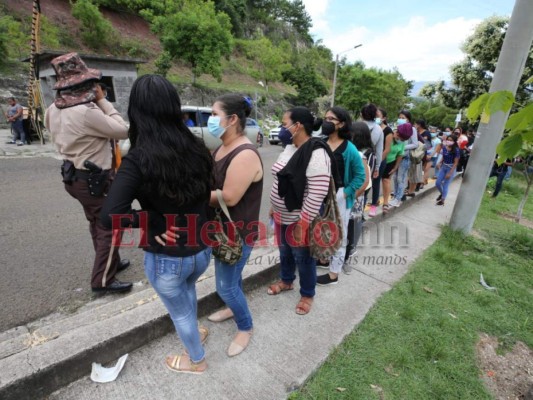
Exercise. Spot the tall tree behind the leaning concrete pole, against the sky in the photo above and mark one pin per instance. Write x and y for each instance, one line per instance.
(472, 76)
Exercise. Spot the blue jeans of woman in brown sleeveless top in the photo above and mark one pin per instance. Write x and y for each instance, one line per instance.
(229, 288)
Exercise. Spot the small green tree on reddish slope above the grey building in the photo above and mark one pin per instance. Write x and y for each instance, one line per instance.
(96, 31)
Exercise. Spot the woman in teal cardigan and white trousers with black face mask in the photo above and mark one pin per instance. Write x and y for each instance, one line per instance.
(337, 127)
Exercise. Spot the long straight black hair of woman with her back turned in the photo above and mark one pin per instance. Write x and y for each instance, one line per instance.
(174, 163)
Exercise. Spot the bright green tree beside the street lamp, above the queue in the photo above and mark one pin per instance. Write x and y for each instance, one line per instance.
(358, 86)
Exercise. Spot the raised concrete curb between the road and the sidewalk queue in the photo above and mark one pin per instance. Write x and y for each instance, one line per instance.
(45, 367)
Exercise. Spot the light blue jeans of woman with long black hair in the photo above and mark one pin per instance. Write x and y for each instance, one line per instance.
(174, 280)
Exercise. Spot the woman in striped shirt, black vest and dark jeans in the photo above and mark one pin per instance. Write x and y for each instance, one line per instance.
(301, 182)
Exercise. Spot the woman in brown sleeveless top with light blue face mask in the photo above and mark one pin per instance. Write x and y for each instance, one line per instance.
(239, 174)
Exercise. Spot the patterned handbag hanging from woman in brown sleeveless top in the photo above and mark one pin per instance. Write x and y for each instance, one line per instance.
(227, 249)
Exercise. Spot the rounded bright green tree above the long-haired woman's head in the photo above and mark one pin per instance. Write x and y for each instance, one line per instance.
(198, 35)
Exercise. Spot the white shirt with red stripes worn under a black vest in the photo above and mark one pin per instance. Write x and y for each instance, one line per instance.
(318, 174)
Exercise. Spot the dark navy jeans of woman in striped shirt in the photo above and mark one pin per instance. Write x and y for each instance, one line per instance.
(297, 257)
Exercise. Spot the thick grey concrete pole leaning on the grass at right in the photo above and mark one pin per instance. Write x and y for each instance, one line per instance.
(509, 70)
